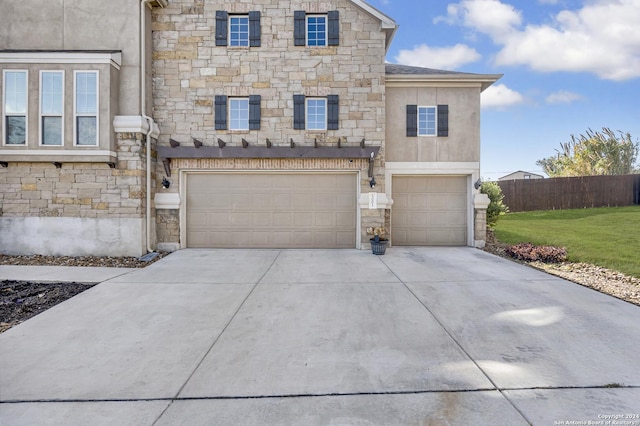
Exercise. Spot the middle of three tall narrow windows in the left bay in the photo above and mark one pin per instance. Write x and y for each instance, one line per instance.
(51, 107)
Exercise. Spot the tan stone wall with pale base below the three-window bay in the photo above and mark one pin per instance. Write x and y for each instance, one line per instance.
(77, 209)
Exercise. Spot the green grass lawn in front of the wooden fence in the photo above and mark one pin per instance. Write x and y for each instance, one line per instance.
(607, 237)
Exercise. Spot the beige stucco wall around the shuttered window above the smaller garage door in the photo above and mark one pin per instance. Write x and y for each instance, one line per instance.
(463, 142)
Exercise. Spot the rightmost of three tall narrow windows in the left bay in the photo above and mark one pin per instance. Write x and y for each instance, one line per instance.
(86, 108)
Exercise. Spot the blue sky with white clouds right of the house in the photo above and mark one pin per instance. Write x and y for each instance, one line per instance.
(568, 65)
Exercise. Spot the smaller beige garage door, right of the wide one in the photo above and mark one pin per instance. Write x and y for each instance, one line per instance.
(429, 211)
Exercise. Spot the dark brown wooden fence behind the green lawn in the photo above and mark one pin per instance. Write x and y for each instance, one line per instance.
(571, 193)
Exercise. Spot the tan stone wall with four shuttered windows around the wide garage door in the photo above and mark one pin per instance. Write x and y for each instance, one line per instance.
(189, 70)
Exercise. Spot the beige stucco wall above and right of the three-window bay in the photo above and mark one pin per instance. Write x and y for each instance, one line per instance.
(79, 25)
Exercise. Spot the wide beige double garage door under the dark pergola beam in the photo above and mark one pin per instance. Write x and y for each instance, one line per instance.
(271, 210)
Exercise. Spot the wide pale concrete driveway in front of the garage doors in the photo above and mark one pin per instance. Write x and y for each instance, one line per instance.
(437, 336)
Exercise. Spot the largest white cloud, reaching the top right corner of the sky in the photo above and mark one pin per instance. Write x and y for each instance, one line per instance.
(600, 38)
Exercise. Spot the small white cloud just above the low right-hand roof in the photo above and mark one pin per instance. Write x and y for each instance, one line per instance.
(438, 57)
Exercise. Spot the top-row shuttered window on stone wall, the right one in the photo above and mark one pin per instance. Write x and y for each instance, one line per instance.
(316, 30)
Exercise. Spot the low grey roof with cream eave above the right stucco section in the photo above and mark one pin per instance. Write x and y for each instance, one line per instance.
(409, 74)
